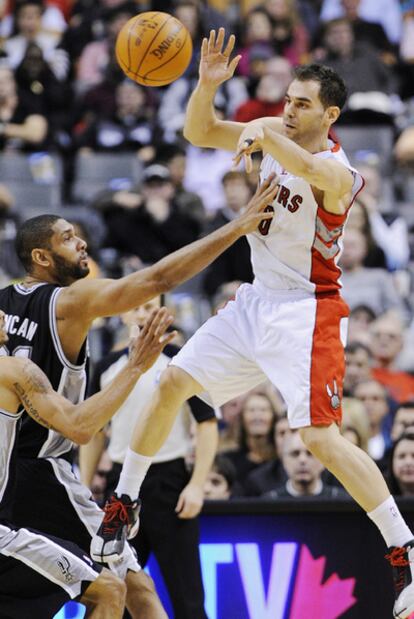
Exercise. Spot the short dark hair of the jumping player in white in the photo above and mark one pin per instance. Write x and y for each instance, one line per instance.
(332, 87)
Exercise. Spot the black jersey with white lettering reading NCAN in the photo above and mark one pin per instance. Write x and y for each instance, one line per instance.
(32, 330)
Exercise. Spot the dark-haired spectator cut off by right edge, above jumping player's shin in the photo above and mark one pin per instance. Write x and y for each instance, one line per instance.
(401, 474)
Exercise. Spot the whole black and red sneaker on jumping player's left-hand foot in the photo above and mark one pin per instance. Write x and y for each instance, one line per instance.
(120, 522)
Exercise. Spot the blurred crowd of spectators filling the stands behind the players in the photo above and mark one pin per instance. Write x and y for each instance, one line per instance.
(63, 94)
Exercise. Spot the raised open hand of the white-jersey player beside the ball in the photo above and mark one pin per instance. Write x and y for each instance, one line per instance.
(215, 64)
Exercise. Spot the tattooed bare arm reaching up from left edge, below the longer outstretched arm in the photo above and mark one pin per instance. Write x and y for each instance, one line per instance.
(24, 383)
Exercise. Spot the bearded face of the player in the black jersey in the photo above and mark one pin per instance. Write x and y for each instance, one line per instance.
(68, 254)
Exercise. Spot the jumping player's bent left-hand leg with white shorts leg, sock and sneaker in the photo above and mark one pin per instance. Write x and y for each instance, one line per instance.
(215, 361)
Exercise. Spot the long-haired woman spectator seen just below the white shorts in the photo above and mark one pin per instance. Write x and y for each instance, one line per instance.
(256, 444)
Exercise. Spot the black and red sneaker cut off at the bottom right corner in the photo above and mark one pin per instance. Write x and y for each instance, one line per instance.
(402, 562)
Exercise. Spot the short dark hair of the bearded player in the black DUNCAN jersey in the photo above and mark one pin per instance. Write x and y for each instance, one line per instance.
(34, 232)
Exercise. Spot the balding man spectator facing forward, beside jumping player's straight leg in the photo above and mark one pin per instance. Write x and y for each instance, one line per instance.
(304, 473)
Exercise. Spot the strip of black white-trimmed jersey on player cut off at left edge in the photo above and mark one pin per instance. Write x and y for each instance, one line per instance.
(9, 430)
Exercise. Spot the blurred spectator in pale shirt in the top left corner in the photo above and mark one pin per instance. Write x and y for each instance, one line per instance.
(28, 25)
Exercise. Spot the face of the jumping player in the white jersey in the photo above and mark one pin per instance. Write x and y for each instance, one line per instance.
(304, 116)
